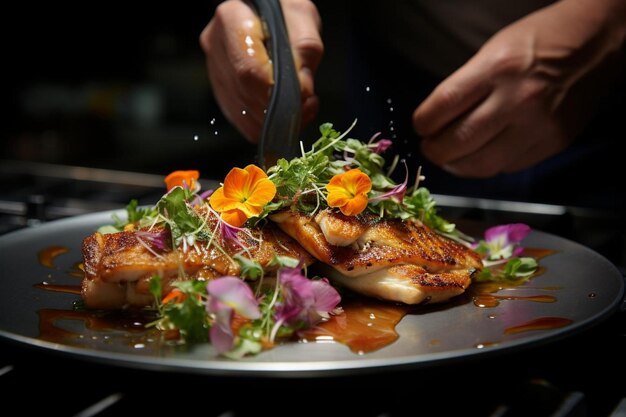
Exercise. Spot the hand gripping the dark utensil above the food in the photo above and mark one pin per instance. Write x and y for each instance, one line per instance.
(239, 68)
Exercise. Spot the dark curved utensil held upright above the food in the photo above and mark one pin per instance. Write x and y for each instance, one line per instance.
(279, 136)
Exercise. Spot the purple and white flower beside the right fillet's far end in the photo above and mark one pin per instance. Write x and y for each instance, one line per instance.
(503, 241)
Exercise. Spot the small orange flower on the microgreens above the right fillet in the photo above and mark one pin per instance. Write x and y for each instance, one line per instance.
(348, 191)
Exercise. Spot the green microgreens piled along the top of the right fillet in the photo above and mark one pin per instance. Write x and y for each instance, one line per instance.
(301, 182)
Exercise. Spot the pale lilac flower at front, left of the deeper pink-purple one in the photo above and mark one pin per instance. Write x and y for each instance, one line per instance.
(229, 296)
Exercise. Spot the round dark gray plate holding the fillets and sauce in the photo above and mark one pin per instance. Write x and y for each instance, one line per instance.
(585, 286)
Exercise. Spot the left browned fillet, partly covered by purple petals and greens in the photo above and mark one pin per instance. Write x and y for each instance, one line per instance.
(118, 266)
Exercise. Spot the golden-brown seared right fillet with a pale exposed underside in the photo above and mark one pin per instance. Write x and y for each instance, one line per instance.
(394, 260)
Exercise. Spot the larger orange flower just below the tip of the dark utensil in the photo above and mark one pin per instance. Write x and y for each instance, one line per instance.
(244, 194)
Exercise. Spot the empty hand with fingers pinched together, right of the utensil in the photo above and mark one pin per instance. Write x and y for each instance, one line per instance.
(526, 94)
